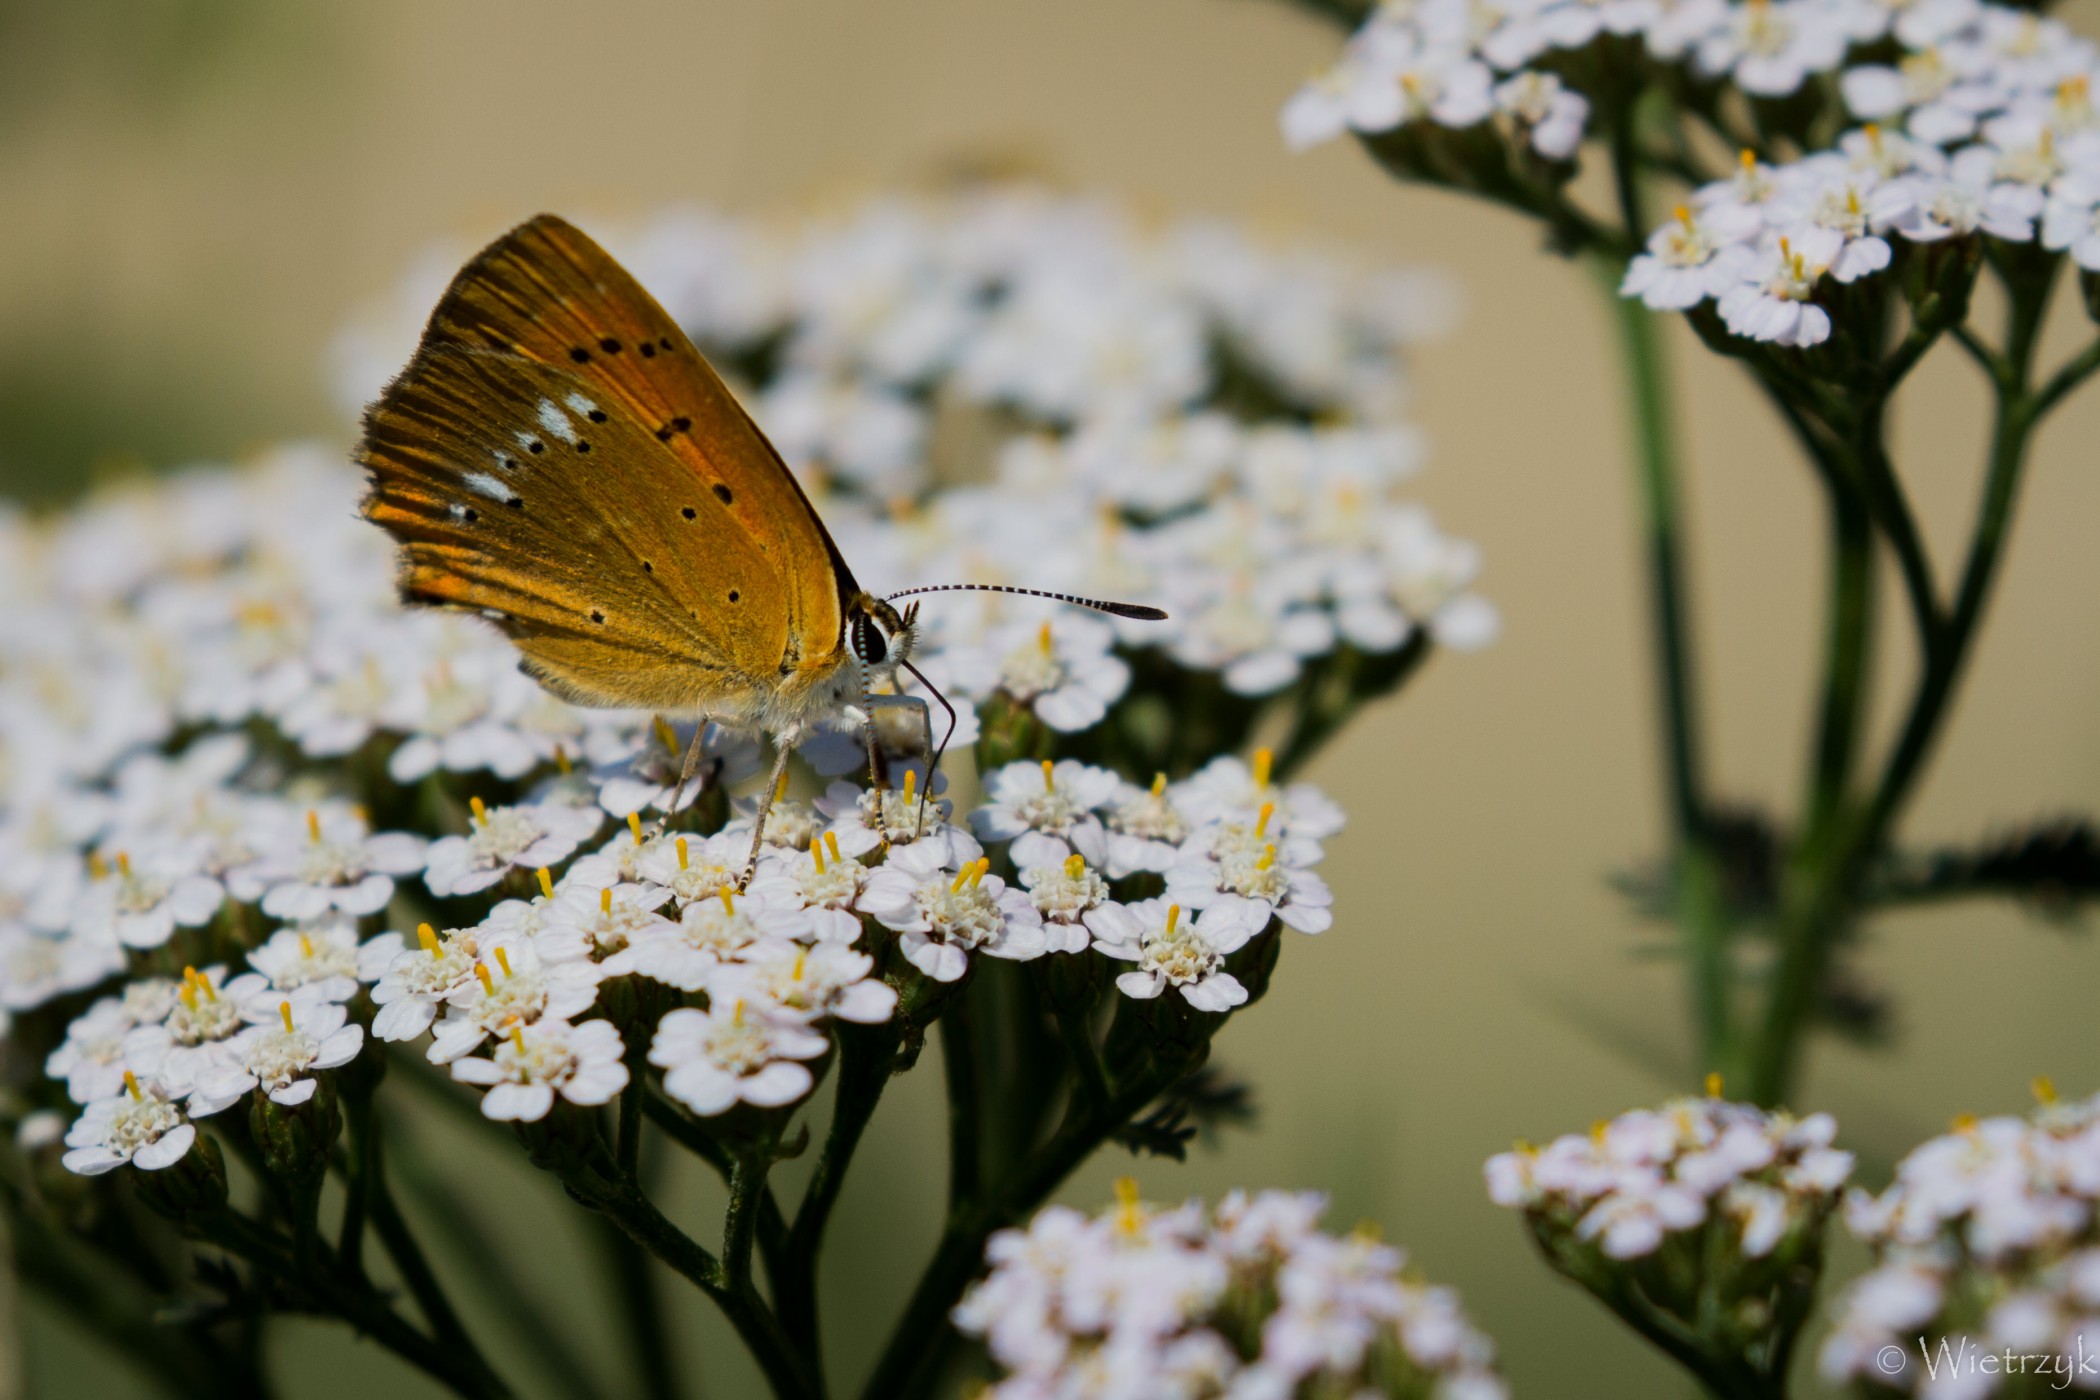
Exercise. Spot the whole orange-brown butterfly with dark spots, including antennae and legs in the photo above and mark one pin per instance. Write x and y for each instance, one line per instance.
(562, 461)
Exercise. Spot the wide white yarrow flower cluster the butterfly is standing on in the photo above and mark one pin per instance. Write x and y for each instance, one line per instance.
(144, 830)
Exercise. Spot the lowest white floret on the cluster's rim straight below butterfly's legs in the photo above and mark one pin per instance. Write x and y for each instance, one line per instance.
(736, 1053)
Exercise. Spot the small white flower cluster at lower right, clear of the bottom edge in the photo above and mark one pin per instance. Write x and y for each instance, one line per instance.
(1633, 1185)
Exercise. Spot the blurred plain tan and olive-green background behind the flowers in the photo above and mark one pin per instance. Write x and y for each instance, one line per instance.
(198, 194)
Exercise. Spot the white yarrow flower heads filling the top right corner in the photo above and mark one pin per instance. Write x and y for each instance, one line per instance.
(1977, 116)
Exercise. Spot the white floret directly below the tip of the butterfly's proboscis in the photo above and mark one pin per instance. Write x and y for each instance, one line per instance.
(944, 914)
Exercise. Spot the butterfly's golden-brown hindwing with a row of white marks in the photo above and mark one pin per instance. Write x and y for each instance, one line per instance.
(518, 492)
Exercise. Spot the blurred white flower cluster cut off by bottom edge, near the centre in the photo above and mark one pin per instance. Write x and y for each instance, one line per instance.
(1246, 1302)
